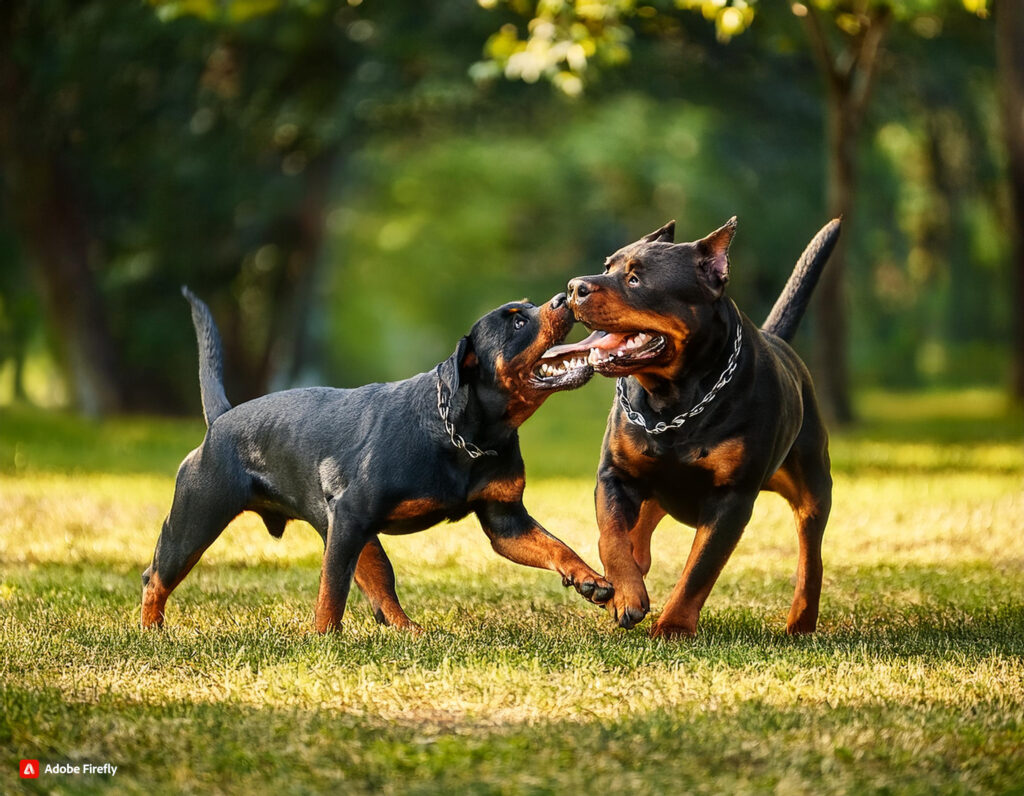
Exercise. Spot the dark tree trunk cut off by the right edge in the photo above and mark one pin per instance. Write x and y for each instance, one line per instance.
(1010, 52)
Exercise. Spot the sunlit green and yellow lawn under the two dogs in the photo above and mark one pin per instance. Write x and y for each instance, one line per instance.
(914, 685)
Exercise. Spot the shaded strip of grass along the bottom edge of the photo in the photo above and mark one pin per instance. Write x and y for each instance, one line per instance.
(748, 745)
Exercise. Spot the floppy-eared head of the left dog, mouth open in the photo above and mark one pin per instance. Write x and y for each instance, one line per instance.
(505, 351)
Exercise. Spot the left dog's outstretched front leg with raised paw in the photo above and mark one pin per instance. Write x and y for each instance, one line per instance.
(517, 536)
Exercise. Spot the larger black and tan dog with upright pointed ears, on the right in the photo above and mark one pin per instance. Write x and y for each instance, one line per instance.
(709, 412)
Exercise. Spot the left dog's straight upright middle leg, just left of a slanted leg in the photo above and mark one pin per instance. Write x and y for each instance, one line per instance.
(346, 541)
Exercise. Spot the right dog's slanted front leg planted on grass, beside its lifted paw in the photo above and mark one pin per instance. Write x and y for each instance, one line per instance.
(723, 519)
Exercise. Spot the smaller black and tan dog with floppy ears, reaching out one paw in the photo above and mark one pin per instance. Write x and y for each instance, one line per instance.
(393, 458)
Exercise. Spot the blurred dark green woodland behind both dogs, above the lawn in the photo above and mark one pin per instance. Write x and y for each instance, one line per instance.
(351, 185)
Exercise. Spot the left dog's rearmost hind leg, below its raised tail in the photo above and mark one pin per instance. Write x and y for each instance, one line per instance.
(201, 510)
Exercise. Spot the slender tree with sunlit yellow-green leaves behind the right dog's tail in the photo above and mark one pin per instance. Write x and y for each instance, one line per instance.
(845, 37)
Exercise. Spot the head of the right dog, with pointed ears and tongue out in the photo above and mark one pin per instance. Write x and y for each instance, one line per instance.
(654, 298)
